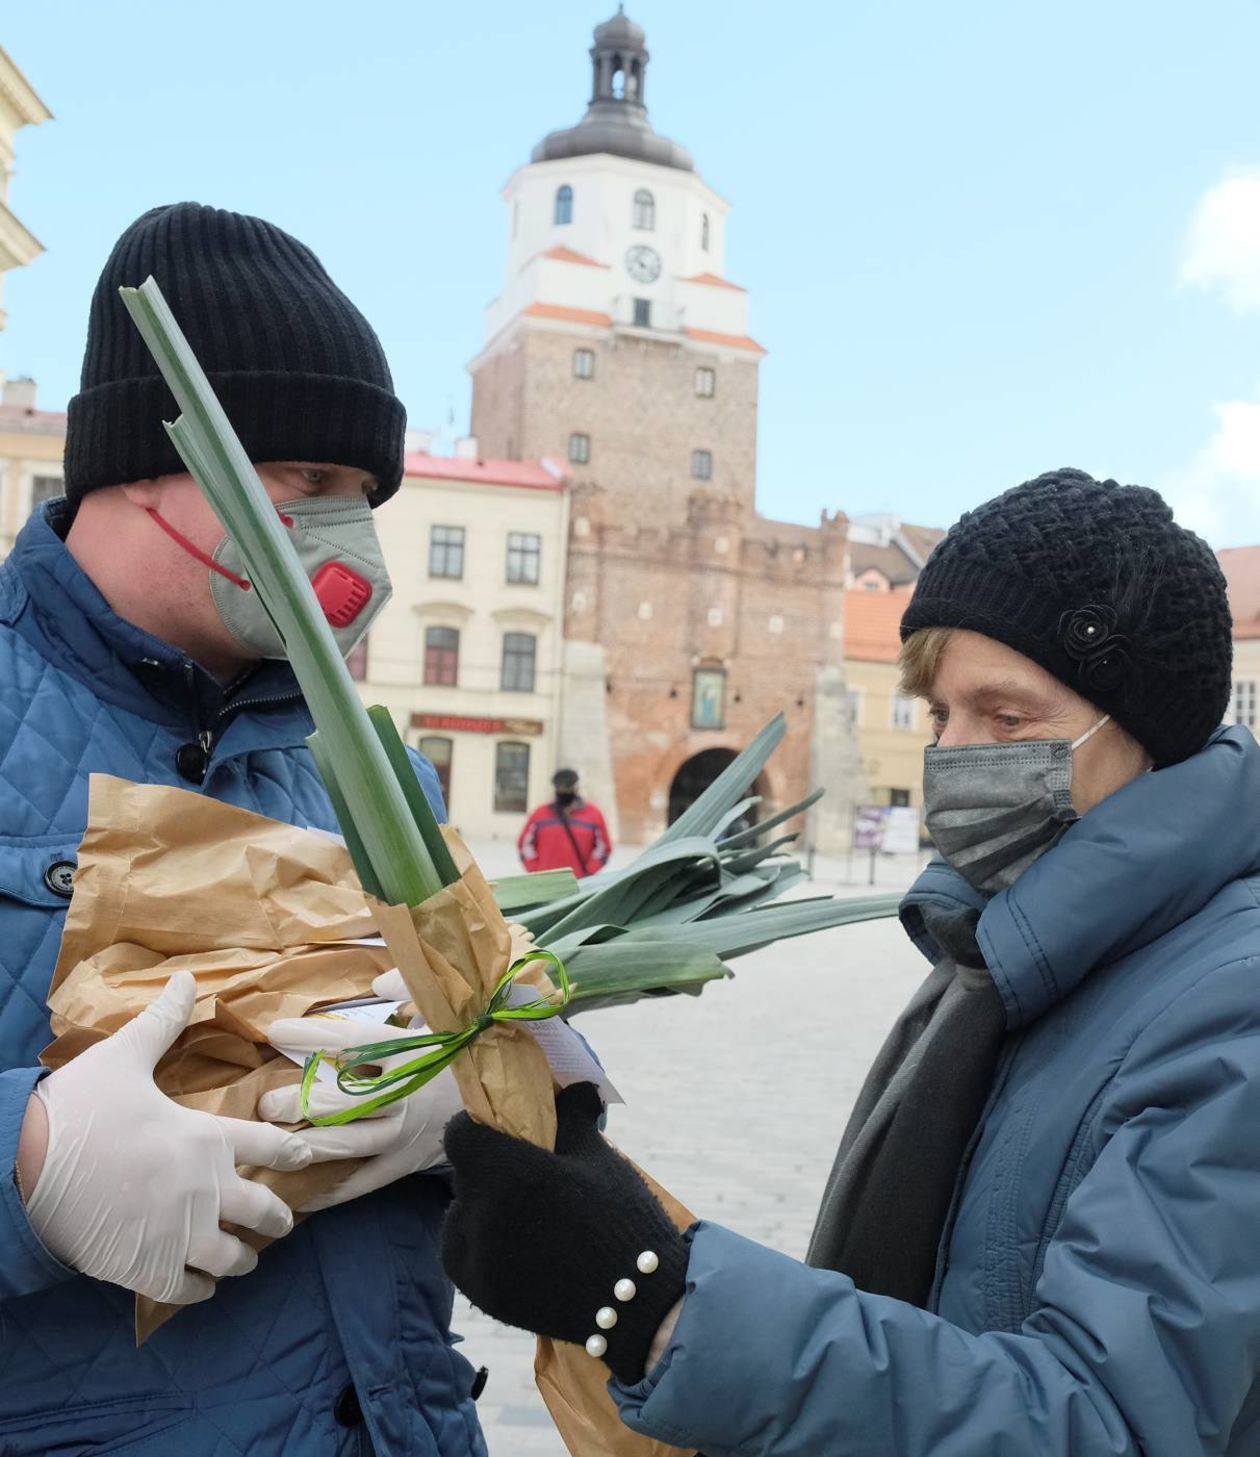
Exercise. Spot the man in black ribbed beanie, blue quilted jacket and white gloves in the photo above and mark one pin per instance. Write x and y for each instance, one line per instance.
(133, 645)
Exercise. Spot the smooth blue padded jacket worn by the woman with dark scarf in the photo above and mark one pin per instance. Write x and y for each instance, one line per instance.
(1099, 1286)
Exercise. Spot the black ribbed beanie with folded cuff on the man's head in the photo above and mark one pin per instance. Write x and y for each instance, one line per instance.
(295, 365)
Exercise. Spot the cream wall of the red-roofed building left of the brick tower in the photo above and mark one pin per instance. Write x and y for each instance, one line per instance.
(477, 715)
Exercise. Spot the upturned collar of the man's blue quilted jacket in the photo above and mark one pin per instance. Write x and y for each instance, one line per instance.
(58, 608)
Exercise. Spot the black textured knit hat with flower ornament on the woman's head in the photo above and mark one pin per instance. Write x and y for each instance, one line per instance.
(1099, 585)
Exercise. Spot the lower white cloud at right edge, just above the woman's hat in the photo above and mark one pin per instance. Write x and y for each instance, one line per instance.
(1217, 495)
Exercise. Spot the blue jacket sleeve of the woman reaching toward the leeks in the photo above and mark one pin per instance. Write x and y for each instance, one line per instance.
(1147, 1331)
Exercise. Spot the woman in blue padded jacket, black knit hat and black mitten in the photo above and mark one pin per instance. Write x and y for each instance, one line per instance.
(1042, 1232)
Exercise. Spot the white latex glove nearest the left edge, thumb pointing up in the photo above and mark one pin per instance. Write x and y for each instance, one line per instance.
(135, 1187)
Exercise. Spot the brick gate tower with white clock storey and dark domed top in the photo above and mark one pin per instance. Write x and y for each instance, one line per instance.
(620, 346)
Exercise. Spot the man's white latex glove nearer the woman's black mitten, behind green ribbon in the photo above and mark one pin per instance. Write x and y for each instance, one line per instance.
(398, 1140)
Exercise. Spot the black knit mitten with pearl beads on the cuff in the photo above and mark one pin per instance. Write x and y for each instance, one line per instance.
(572, 1244)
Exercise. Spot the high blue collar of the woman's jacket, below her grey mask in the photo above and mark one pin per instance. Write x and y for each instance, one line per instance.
(1131, 871)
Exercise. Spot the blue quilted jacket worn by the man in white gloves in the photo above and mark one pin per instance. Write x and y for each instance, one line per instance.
(347, 1315)
